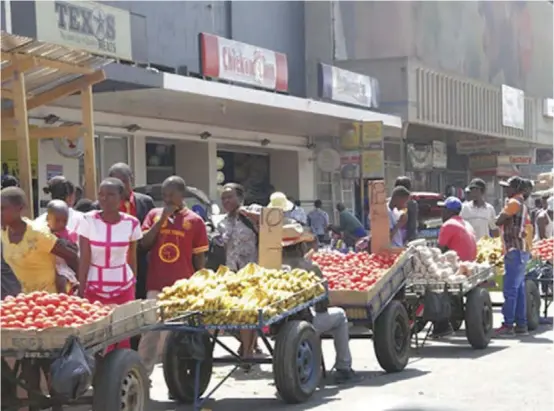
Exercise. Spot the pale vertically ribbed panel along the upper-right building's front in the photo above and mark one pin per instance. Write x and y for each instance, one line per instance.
(459, 104)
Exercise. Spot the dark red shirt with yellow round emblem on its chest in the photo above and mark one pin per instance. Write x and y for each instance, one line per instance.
(172, 252)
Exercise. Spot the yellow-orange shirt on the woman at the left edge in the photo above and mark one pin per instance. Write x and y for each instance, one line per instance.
(31, 259)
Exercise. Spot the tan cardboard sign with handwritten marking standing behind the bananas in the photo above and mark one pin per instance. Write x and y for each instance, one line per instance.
(270, 246)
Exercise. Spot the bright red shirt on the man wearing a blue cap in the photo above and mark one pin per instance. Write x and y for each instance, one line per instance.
(458, 235)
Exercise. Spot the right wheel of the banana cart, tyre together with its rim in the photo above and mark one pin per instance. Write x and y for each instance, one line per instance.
(297, 361)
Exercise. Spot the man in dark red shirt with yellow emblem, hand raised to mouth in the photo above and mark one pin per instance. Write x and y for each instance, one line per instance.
(177, 240)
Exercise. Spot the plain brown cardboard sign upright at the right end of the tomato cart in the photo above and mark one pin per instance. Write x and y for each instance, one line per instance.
(378, 216)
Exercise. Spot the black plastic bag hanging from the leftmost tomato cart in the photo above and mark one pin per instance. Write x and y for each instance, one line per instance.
(72, 373)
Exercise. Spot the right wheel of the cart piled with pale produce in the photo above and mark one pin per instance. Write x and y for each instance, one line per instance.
(478, 318)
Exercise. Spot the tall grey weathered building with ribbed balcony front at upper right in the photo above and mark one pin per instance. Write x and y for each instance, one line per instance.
(445, 71)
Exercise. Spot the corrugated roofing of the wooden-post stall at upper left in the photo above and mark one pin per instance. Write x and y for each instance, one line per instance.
(41, 78)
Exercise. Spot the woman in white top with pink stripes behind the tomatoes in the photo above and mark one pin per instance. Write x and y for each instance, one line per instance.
(108, 241)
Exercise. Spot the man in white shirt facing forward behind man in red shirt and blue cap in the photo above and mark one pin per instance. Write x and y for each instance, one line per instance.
(477, 212)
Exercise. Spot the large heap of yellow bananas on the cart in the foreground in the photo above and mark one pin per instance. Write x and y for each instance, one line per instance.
(228, 298)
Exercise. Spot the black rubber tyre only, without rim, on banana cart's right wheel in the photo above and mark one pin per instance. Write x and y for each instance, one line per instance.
(290, 335)
